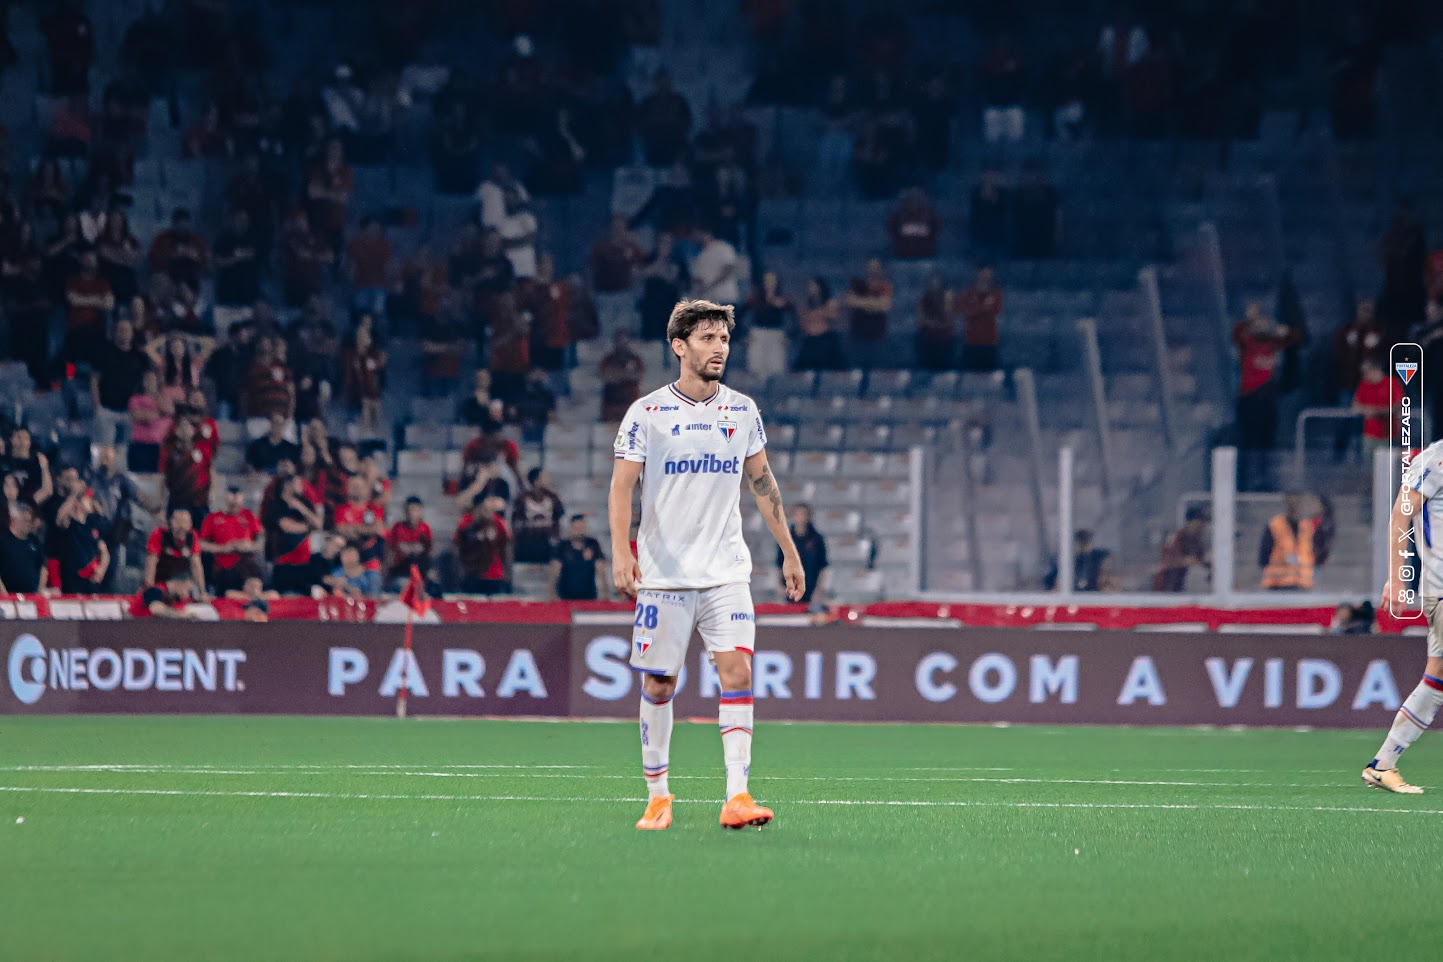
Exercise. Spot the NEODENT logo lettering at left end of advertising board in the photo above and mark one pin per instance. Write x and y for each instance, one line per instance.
(35, 670)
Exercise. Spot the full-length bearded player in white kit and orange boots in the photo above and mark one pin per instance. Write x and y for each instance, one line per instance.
(690, 445)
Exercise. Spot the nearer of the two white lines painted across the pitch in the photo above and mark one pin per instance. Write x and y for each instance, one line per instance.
(344, 797)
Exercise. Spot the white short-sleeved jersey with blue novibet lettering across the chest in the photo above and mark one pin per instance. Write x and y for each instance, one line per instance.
(692, 485)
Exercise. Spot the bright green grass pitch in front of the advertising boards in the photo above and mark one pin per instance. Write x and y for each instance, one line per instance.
(366, 839)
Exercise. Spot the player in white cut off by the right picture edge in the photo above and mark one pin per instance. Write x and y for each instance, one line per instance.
(1413, 523)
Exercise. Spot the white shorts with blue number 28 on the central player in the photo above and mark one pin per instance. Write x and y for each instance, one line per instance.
(665, 622)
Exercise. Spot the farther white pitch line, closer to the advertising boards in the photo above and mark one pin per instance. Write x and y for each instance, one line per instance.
(510, 774)
